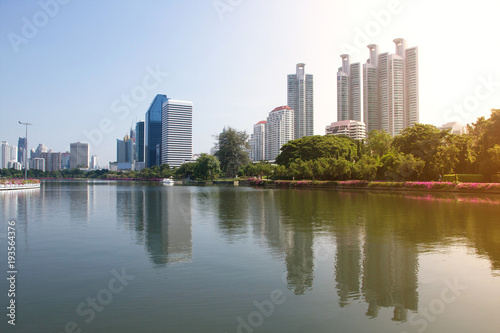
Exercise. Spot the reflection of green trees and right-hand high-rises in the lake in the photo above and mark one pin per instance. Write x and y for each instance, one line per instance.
(378, 237)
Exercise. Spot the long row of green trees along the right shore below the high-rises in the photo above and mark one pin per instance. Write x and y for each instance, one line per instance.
(421, 152)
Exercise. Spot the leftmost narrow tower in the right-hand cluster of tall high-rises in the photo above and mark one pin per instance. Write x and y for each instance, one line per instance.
(348, 90)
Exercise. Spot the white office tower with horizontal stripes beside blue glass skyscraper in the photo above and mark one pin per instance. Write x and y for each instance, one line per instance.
(176, 132)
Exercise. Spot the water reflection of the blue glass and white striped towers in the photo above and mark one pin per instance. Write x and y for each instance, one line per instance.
(168, 224)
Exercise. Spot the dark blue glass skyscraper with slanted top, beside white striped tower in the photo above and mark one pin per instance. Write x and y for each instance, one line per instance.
(152, 131)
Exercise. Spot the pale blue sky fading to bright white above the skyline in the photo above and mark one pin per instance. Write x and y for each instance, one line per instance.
(83, 70)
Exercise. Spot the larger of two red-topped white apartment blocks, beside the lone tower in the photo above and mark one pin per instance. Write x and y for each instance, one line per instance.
(279, 130)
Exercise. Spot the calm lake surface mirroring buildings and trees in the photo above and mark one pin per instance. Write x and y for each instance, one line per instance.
(130, 257)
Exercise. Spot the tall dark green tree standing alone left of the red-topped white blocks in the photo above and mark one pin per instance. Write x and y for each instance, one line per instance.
(232, 150)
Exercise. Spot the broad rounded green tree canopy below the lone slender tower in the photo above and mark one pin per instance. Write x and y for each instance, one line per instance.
(314, 147)
